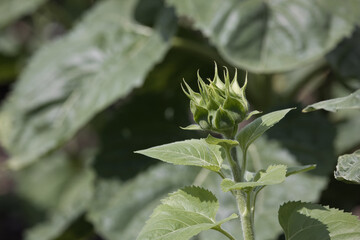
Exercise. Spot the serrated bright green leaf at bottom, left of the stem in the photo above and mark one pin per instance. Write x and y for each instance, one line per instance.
(182, 215)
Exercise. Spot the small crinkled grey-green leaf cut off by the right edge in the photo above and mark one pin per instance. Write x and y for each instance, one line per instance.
(348, 168)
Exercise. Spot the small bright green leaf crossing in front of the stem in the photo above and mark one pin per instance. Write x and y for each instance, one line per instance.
(274, 174)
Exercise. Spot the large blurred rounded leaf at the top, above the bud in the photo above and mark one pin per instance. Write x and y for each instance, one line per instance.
(248, 33)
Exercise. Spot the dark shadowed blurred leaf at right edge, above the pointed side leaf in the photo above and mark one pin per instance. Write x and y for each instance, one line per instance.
(345, 58)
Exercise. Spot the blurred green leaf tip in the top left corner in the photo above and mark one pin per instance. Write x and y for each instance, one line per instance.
(10, 10)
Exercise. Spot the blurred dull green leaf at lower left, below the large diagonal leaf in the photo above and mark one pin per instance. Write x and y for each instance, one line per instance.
(64, 186)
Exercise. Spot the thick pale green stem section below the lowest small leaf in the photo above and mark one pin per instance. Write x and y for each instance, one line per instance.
(244, 206)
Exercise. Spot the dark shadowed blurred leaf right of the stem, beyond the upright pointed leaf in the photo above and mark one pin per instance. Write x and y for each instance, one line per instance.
(309, 137)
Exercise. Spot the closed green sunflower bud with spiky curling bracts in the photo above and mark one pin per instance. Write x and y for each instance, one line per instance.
(219, 106)
